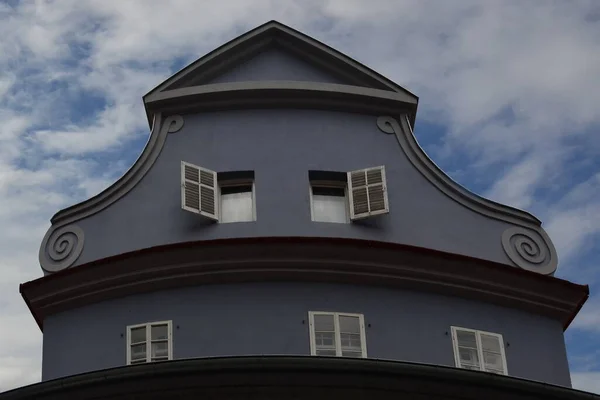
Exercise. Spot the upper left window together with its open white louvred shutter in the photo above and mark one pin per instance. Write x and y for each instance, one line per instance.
(223, 197)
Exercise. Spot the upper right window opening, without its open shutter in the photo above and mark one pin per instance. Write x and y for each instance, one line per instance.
(329, 203)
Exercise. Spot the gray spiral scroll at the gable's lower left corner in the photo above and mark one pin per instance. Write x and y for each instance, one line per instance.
(61, 247)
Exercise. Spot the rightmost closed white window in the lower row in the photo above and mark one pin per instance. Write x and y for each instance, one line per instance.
(479, 351)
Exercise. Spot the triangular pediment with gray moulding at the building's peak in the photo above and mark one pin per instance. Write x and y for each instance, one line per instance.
(275, 52)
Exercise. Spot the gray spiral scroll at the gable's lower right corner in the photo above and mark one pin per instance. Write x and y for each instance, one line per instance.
(530, 250)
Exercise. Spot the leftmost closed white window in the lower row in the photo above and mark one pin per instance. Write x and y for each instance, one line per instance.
(149, 342)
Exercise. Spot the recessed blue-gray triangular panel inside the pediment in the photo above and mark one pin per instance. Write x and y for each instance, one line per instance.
(277, 64)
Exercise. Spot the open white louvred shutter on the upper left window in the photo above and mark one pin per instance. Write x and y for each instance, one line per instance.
(199, 190)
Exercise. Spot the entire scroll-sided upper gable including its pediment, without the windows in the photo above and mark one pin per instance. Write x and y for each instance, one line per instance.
(276, 97)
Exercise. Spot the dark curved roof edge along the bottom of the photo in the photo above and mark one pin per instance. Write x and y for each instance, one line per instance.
(297, 377)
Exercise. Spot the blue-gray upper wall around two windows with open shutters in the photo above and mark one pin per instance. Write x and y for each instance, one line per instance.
(281, 146)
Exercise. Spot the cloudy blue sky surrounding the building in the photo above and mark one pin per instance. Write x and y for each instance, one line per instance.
(509, 107)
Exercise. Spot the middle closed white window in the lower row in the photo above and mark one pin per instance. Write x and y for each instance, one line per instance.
(337, 334)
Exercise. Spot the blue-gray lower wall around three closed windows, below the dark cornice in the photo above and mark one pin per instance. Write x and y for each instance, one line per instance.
(267, 318)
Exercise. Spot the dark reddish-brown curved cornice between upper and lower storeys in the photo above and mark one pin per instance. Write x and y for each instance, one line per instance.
(333, 260)
